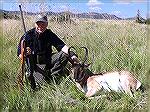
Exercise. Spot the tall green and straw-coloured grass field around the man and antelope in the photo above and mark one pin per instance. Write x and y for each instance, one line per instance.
(113, 45)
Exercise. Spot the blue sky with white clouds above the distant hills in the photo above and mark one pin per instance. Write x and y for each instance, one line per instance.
(120, 8)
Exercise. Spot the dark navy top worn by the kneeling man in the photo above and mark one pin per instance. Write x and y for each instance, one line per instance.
(41, 44)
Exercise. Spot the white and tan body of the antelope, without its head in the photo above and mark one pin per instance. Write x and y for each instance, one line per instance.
(122, 81)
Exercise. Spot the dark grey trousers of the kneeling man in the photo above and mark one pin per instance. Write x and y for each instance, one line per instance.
(55, 69)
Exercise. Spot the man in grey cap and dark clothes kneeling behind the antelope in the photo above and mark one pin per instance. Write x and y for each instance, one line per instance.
(38, 51)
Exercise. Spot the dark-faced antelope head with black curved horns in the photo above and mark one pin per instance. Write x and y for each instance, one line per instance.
(78, 68)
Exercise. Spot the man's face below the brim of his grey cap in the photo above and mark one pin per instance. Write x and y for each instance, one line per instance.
(41, 26)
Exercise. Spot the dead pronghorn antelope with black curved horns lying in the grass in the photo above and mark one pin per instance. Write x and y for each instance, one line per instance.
(90, 83)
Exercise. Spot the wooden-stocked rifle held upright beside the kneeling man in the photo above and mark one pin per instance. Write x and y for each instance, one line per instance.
(21, 75)
